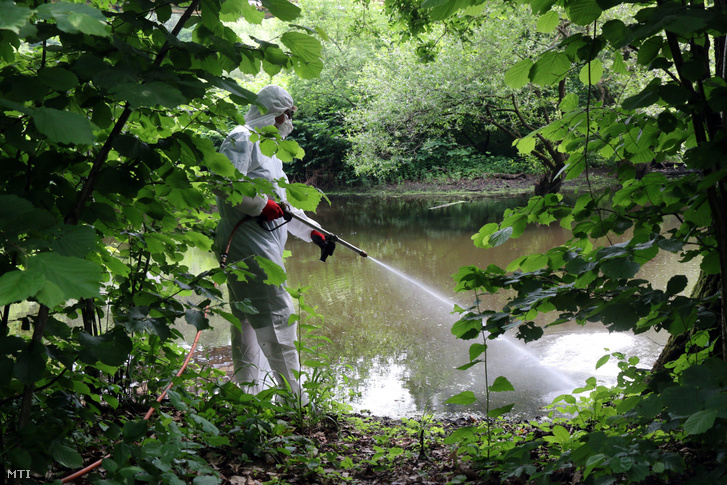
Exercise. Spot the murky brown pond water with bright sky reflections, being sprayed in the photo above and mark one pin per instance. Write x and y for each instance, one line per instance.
(390, 323)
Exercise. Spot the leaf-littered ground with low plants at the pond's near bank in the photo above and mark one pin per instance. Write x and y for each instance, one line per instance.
(371, 450)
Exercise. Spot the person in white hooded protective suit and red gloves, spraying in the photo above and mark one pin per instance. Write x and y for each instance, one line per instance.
(265, 348)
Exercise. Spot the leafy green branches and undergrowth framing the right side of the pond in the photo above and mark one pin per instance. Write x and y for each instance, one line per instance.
(629, 433)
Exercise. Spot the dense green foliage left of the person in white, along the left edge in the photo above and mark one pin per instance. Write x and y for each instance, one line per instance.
(106, 179)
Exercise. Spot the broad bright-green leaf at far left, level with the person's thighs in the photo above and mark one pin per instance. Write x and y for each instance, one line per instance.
(75, 277)
